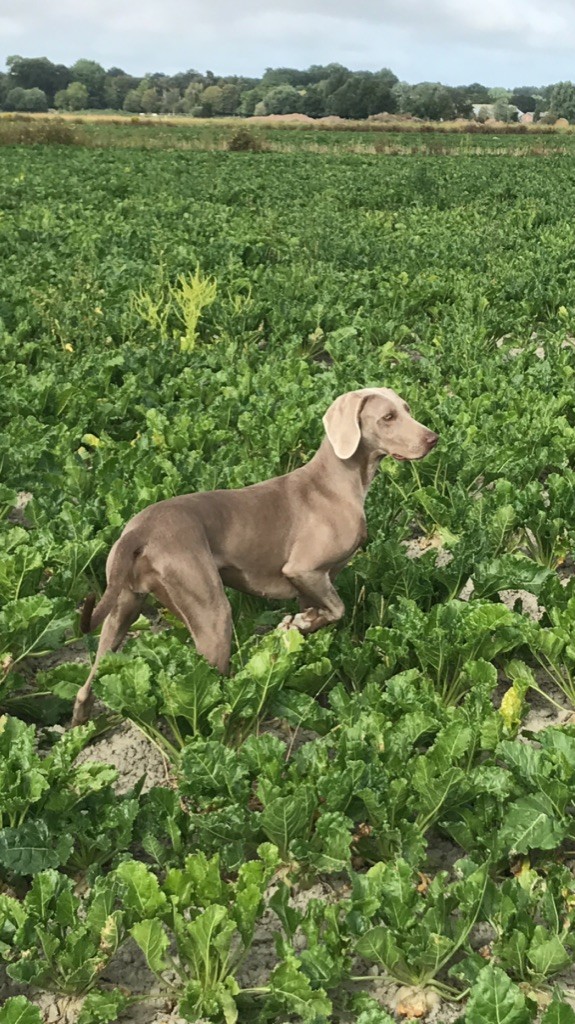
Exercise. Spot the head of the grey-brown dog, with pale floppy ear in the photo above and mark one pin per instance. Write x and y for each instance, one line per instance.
(379, 419)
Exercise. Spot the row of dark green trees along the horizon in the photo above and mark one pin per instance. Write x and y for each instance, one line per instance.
(36, 84)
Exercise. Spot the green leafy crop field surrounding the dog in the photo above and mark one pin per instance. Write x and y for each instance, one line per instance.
(369, 825)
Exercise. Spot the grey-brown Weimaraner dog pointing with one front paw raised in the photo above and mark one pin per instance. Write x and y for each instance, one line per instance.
(286, 538)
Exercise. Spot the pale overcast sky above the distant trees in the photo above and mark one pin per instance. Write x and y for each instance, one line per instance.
(498, 42)
